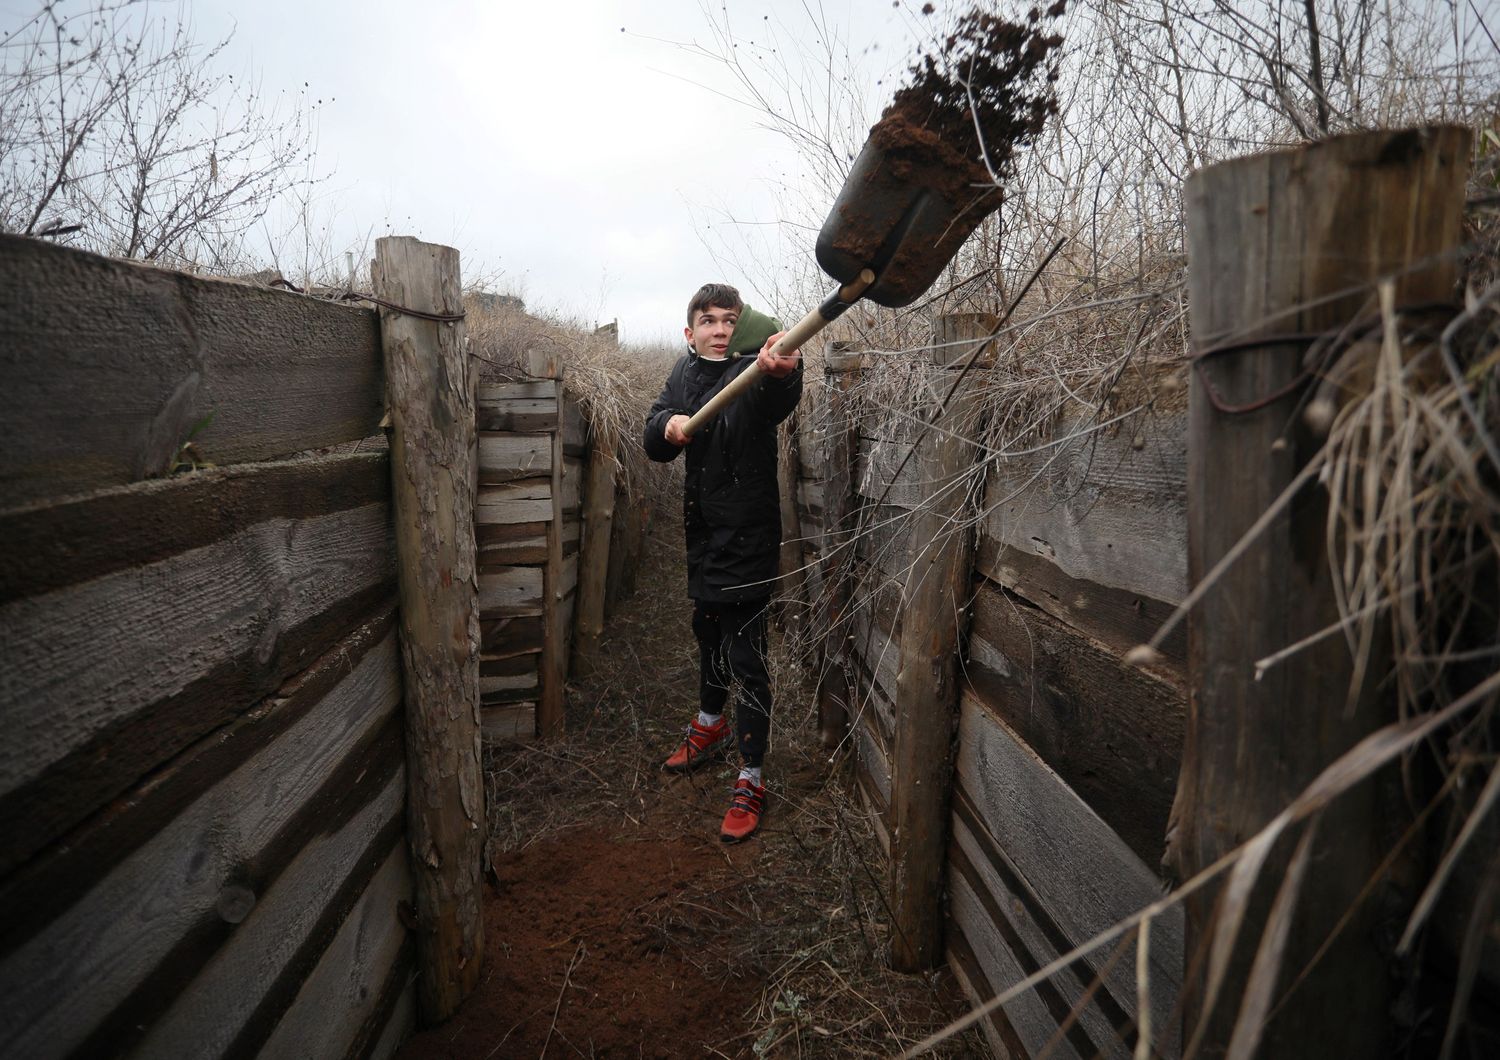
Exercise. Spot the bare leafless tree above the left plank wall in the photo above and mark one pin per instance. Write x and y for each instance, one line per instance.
(121, 137)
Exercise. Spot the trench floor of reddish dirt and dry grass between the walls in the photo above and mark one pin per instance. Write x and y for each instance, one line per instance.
(619, 926)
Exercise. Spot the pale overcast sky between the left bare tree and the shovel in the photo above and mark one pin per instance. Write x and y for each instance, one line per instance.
(580, 163)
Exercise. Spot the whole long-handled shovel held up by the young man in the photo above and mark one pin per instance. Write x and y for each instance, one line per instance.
(889, 236)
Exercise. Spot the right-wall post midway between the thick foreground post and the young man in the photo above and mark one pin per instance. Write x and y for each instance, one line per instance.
(926, 689)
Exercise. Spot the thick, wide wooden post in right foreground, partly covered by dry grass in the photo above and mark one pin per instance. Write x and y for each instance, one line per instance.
(1282, 245)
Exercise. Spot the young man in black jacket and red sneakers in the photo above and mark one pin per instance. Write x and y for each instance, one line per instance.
(733, 517)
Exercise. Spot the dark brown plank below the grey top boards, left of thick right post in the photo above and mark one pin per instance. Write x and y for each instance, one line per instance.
(1114, 732)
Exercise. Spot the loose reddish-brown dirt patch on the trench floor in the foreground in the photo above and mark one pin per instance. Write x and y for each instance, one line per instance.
(581, 959)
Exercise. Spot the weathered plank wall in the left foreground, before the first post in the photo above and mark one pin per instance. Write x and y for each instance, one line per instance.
(203, 780)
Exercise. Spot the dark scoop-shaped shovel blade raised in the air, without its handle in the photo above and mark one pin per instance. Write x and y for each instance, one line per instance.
(890, 220)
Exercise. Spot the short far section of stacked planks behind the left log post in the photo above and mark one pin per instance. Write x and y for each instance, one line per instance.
(518, 424)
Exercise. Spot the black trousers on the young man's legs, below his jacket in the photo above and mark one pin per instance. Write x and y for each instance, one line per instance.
(731, 648)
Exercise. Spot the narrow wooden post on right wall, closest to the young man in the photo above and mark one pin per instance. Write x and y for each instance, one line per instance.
(841, 517)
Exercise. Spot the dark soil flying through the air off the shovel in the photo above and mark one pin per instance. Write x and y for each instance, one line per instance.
(982, 95)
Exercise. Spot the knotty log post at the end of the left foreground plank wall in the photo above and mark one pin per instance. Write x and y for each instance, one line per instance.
(430, 392)
